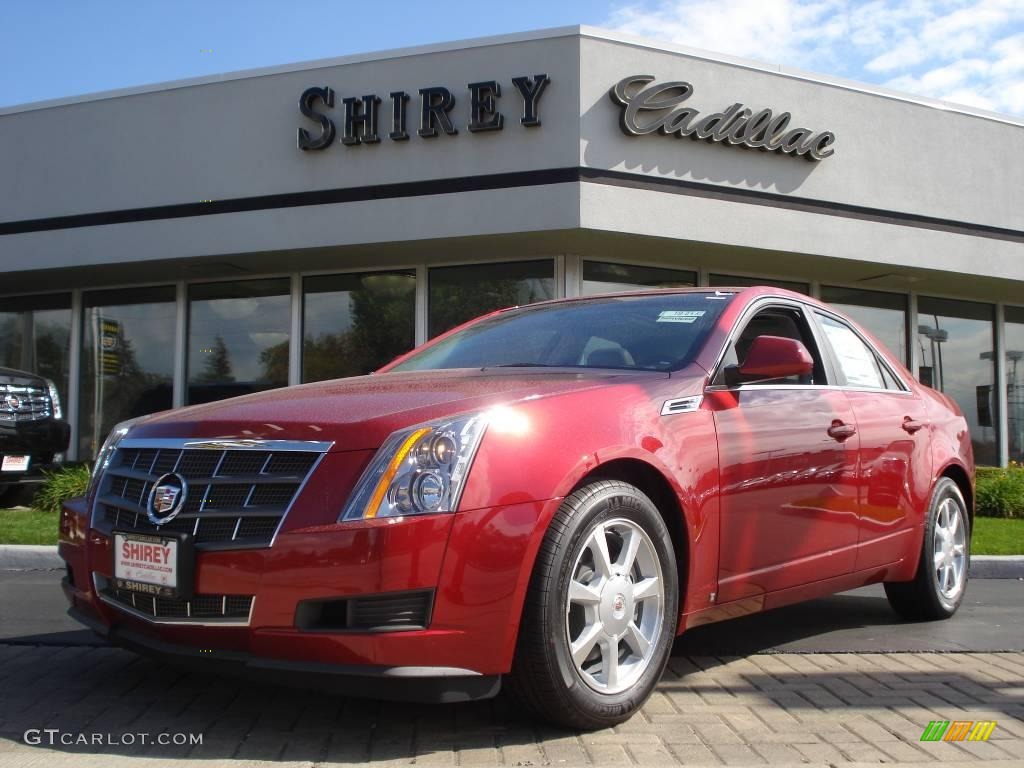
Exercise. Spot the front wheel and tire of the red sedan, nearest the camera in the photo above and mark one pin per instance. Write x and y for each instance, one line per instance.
(610, 610)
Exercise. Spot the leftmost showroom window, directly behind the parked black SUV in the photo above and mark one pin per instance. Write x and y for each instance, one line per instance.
(35, 336)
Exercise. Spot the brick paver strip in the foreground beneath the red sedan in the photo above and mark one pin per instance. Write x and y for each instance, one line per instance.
(810, 710)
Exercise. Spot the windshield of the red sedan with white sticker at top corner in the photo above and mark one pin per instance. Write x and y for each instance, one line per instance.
(649, 332)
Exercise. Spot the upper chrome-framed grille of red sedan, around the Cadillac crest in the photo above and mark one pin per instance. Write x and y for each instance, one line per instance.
(237, 497)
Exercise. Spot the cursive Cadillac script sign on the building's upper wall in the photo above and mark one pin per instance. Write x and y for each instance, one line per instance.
(660, 109)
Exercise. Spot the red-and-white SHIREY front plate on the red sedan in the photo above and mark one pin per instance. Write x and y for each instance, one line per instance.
(153, 565)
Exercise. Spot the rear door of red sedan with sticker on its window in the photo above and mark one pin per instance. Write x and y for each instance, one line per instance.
(895, 463)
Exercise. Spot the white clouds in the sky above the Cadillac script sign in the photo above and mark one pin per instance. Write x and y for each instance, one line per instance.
(968, 52)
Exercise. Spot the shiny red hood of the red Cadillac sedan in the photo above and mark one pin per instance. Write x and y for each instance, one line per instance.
(360, 413)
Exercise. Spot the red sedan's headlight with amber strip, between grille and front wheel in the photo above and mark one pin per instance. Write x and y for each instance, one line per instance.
(418, 472)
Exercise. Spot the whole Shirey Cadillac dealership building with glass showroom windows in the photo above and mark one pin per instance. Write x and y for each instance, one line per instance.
(186, 242)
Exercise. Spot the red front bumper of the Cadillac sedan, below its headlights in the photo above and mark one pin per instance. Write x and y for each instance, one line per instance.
(474, 563)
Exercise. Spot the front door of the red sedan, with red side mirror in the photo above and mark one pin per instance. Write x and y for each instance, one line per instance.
(788, 455)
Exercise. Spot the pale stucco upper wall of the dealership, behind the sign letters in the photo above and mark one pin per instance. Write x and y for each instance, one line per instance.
(234, 138)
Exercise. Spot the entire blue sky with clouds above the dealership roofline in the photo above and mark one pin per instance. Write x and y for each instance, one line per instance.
(967, 52)
